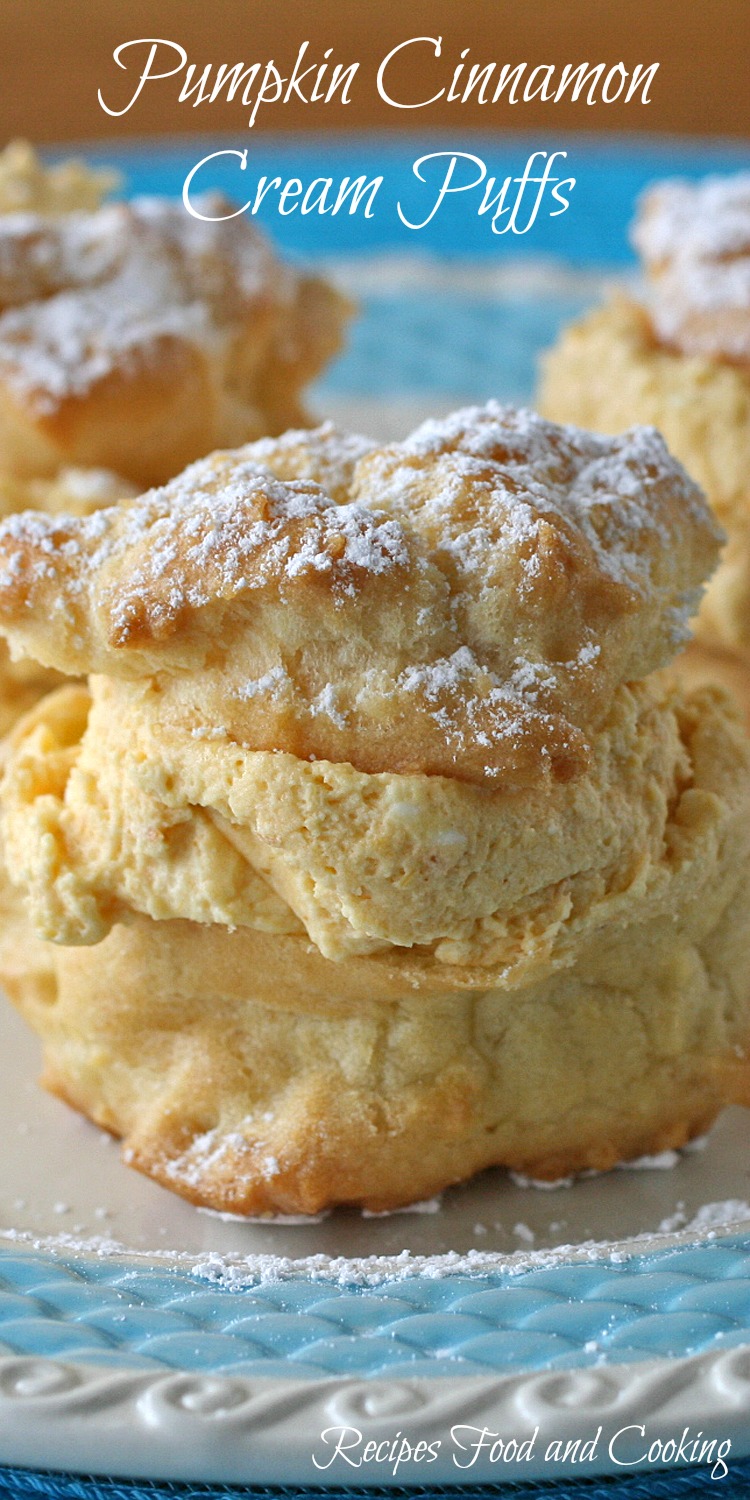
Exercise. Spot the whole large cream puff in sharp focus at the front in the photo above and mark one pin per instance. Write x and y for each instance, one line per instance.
(379, 848)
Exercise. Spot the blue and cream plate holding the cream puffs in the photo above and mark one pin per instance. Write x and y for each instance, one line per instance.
(142, 1337)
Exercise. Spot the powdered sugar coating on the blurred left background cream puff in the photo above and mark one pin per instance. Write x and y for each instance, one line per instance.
(86, 295)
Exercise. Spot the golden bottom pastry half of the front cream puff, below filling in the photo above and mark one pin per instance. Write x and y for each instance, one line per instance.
(250, 1075)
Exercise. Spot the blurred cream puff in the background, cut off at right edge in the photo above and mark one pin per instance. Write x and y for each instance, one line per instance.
(679, 356)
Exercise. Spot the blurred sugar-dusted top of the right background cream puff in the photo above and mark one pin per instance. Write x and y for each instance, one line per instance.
(695, 244)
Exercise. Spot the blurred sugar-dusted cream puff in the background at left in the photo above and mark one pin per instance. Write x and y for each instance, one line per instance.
(134, 337)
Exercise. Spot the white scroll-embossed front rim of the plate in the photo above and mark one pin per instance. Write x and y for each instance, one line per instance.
(191, 1427)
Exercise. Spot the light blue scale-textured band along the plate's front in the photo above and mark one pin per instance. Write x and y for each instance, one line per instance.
(113, 1312)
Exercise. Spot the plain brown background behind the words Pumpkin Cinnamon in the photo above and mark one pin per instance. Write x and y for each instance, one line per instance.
(56, 53)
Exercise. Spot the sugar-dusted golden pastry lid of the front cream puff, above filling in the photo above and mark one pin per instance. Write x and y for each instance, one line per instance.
(464, 604)
